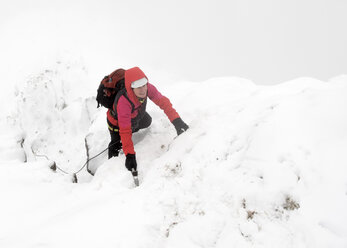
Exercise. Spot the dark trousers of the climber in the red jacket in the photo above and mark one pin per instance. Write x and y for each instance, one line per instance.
(115, 145)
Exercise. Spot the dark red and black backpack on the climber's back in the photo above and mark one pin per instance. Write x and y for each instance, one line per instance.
(109, 87)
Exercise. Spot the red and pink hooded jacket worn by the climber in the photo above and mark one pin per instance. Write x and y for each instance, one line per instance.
(125, 108)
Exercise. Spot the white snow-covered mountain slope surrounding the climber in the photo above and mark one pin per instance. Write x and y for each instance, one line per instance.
(260, 166)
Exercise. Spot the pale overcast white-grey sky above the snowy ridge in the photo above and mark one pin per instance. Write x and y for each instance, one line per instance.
(267, 41)
